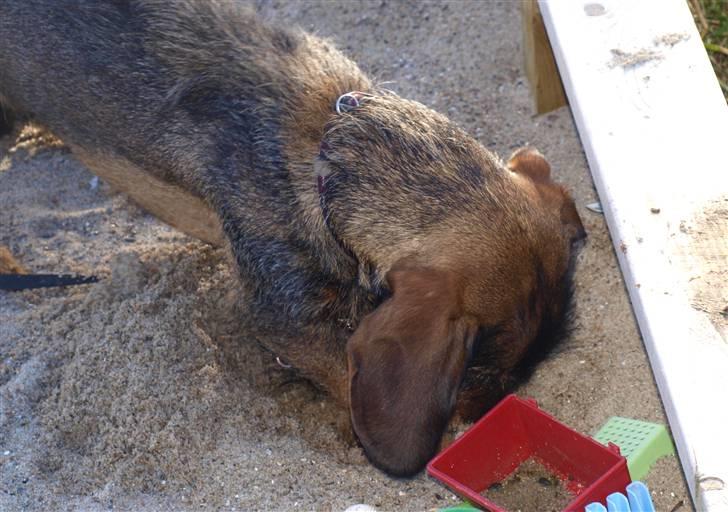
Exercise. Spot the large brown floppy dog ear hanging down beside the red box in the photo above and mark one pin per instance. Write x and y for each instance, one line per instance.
(406, 362)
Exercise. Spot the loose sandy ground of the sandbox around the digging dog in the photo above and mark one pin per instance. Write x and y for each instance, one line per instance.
(140, 392)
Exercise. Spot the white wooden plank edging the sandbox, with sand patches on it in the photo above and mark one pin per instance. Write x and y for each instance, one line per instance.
(654, 126)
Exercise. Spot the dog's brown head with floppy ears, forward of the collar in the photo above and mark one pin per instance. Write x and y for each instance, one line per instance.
(476, 257)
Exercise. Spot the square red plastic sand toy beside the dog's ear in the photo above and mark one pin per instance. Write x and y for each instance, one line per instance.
(516, 430)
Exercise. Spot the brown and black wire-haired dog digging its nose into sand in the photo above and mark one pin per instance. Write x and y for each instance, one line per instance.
(383, 252)
